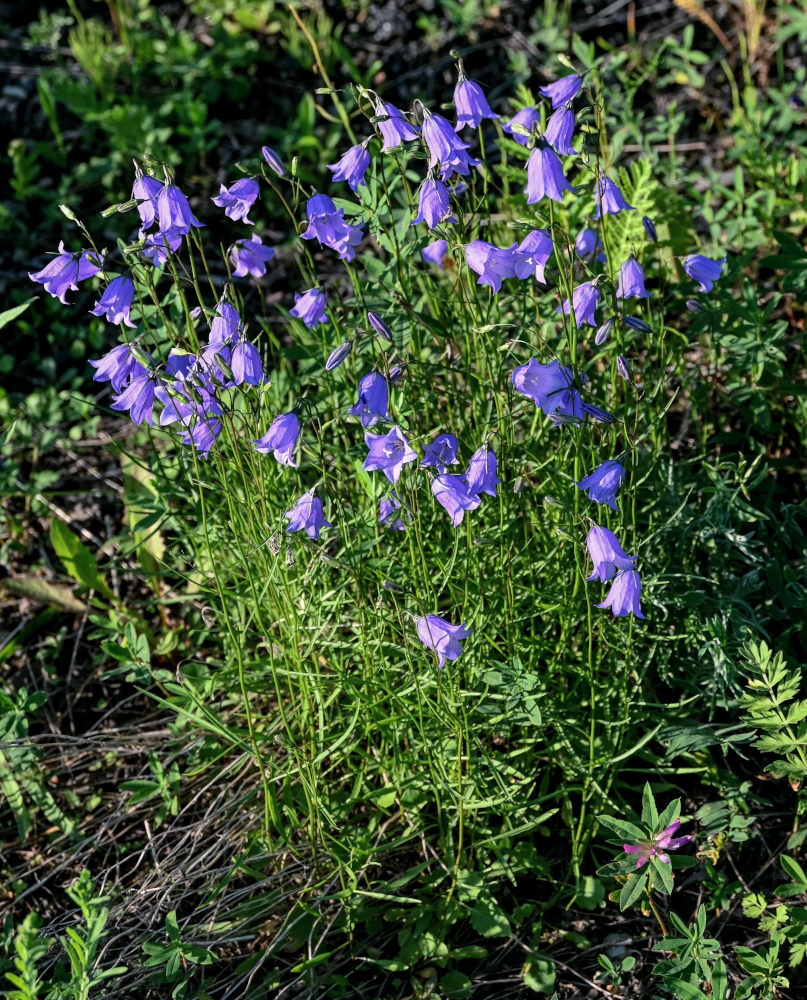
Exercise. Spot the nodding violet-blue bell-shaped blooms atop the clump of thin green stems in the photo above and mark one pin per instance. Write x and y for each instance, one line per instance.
(217, 369)
